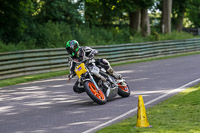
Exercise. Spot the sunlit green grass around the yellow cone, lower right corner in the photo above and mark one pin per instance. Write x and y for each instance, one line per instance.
(179, 114)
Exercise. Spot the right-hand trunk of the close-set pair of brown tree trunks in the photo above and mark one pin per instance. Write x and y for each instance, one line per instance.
(145, 24)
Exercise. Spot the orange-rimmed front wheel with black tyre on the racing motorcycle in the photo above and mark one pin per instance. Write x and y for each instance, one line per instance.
(96, 95)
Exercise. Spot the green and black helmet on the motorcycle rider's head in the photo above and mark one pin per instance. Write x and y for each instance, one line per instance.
(72, 47)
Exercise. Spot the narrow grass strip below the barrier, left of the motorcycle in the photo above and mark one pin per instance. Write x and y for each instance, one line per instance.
(23, 79)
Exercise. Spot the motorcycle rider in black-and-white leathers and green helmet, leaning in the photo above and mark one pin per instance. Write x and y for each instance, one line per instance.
(80, 54)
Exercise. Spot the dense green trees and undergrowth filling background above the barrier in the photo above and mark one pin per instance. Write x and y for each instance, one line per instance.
(50, 23)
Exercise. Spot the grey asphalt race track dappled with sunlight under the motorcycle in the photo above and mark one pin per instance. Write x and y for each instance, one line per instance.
(51, 106)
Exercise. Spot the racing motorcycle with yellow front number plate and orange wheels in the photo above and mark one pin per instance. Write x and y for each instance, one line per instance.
(98, 84)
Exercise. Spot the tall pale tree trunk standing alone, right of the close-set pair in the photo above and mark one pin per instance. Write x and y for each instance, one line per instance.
(166, 16)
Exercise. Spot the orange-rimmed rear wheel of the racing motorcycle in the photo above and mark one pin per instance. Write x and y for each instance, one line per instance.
(123, 91)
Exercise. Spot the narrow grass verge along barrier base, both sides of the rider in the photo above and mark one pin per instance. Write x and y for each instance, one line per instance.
(23, 79)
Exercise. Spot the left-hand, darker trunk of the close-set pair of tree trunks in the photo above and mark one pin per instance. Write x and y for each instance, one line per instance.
(135, 21)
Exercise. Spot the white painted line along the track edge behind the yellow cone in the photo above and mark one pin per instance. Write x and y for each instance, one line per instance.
(183, 87)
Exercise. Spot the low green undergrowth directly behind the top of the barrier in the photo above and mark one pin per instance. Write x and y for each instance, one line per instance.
(55, 35)
